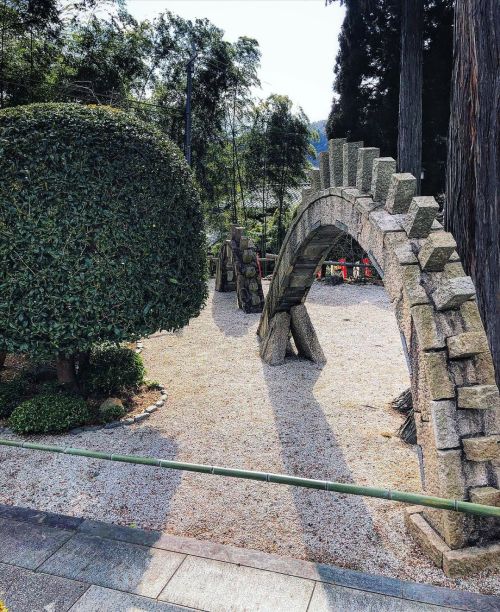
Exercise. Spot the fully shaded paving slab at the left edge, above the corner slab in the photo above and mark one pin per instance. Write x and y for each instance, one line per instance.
(28, 545)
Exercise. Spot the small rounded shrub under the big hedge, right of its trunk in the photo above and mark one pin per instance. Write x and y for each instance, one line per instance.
(113, 369)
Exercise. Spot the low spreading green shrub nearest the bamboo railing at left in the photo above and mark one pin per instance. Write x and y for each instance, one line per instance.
(49, 413)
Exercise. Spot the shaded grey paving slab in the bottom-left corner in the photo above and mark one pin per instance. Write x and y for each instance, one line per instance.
(29, 591)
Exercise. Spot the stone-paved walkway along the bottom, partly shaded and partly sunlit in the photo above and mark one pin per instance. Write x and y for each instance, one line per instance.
(55, 563)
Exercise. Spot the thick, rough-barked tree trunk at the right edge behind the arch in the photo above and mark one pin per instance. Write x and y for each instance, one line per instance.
(472, 210)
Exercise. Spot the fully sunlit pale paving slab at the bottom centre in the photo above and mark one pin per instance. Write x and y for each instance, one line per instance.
(217, 587)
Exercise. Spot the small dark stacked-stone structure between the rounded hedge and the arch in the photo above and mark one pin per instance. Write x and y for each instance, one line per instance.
(237, 270)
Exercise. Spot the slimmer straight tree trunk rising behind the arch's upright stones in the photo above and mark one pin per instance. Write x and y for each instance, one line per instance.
(410, 89)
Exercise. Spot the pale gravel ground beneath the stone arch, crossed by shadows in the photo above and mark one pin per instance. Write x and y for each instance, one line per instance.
(226, 407)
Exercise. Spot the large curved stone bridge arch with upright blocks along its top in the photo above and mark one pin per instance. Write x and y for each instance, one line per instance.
(455, 398)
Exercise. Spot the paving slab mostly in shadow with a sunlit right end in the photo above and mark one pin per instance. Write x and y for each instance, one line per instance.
(116, 565)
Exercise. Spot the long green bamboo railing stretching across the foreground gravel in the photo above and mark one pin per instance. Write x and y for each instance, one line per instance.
(308, 483)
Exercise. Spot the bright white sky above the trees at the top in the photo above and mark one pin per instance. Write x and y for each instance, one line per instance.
(298, 41)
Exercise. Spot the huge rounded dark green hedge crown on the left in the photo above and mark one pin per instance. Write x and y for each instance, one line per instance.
(101, 233)
